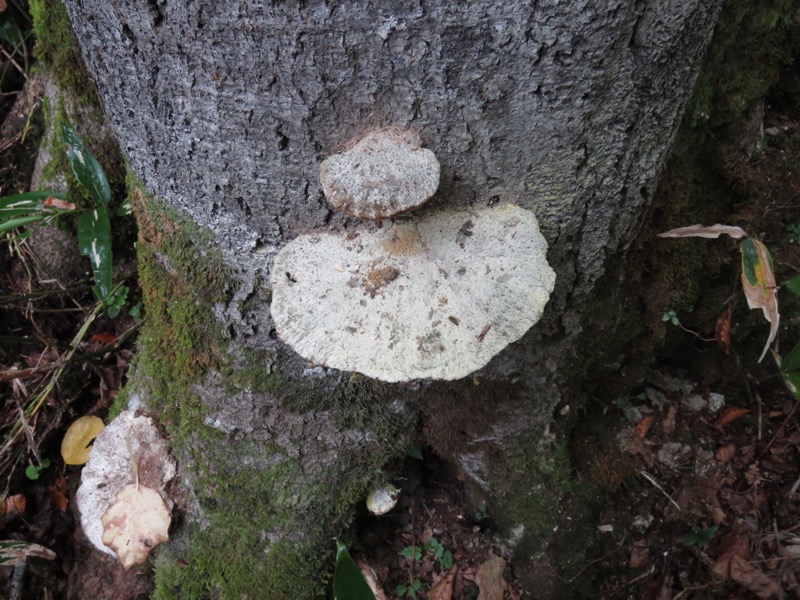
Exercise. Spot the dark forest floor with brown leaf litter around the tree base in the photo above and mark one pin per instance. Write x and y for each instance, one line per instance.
(692, 478)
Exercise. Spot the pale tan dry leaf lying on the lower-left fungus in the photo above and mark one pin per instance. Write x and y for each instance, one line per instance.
(135, 524)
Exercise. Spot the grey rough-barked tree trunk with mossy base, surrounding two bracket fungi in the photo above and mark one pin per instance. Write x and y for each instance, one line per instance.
(225, 112)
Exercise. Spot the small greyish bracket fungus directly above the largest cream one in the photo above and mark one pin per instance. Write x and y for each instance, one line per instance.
(384, 175)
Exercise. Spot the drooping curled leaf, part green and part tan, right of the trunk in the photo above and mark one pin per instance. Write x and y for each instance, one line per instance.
(758, 283)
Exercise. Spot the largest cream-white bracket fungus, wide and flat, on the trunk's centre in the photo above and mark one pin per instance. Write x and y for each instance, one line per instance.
(435, 297)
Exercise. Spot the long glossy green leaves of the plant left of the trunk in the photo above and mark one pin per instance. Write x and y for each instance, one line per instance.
(94, 224)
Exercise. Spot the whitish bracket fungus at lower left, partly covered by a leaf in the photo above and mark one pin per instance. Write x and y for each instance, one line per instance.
(130, 444)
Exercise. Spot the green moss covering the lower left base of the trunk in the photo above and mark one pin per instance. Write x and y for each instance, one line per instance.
(264, 515)
